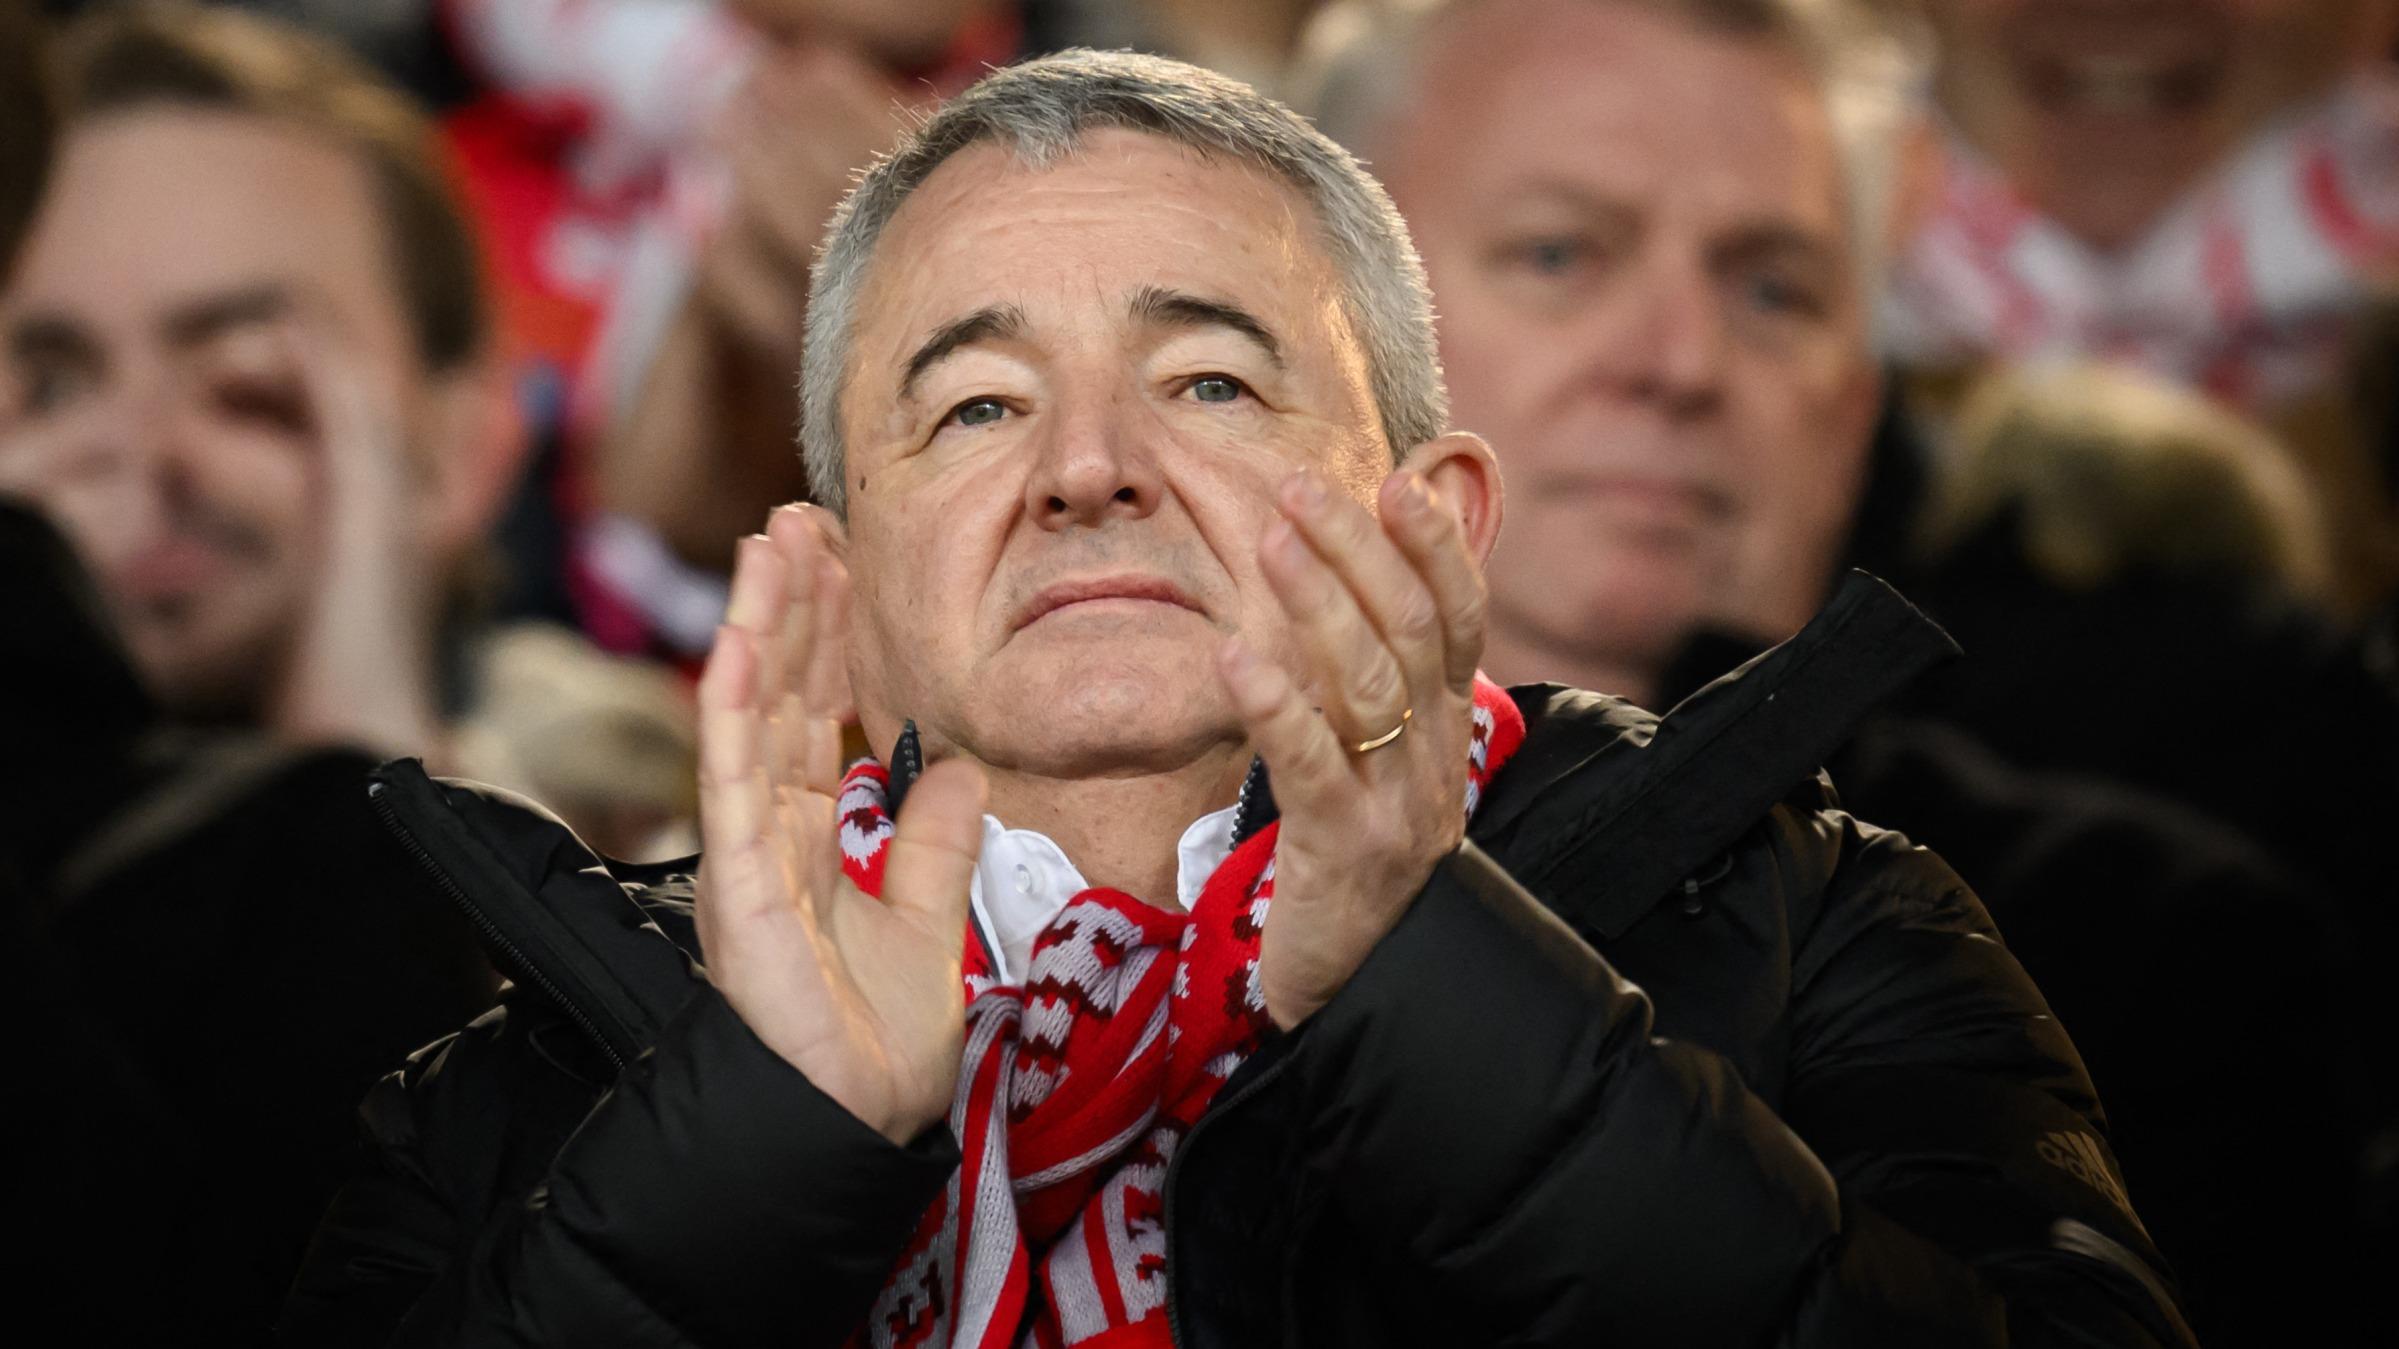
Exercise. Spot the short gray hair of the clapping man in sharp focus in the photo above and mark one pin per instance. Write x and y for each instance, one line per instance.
(1042, 112)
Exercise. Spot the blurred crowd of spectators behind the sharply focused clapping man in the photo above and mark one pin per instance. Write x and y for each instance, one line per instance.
(407, 385)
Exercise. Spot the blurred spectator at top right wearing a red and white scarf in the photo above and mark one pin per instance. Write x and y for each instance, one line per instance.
(2206, 188)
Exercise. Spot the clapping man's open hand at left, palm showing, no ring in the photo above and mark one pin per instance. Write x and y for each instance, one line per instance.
(860, 995)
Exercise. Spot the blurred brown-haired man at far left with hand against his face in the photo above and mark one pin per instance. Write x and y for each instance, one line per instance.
(193, 347)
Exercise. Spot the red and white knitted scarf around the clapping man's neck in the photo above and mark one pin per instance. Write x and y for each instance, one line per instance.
(1076, 1091)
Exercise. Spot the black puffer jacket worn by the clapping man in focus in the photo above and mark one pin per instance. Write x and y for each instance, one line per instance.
(1671, 1053)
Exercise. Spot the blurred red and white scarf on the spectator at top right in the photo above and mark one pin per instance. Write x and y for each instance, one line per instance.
(2249, 289)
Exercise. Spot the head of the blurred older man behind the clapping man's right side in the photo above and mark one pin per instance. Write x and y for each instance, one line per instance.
(1671, 366)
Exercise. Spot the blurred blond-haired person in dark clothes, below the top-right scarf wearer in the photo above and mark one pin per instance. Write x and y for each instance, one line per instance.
(2132, 565)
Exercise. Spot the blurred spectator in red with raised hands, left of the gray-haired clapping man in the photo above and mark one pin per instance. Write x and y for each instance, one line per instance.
(654, 176)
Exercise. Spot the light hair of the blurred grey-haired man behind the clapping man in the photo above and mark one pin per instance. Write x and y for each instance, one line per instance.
(1359, 64)
